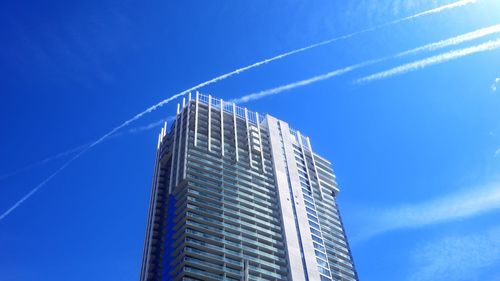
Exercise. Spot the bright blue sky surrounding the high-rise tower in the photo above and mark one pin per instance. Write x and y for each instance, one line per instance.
(417, 154)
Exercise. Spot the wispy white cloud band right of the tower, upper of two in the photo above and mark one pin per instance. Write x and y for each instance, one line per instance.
(472, 202)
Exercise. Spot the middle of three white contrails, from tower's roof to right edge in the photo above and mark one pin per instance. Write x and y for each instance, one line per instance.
(428, 47)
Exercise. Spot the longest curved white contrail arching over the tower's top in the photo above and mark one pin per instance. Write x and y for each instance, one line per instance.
(224, 76)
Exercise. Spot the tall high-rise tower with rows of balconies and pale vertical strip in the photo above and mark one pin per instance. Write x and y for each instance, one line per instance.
(241, 196)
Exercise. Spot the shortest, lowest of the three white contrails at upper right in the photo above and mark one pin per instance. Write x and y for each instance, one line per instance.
(455, 54)
